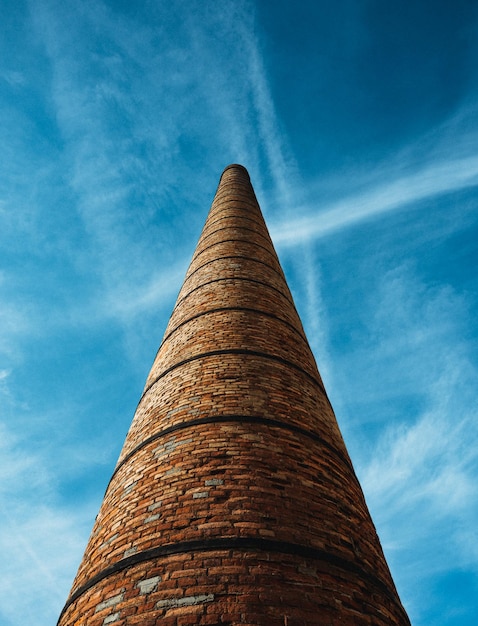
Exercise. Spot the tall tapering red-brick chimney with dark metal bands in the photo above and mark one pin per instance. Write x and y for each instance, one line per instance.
(234, 500)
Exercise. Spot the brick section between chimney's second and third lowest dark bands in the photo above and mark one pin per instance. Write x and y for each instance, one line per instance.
(249, 393)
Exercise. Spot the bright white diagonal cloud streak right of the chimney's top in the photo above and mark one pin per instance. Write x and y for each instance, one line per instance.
(442, 162)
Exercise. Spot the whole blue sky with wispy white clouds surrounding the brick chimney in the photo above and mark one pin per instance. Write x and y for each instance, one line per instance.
(358, 124)
